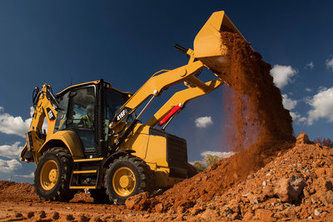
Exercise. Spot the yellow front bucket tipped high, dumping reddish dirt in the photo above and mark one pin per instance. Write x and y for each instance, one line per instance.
(208, 45)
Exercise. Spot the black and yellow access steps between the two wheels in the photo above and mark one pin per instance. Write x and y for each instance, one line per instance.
(86, 173)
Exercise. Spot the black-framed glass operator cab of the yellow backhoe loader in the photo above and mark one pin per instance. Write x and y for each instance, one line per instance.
(88, 109)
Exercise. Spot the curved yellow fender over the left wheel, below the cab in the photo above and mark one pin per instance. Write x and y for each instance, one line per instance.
(66, 137)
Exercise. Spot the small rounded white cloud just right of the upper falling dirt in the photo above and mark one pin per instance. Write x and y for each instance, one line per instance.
(282, 75)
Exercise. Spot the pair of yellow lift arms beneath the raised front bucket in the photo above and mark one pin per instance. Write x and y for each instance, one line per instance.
(161, 81)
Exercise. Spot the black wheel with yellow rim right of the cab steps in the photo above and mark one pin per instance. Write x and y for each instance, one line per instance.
(126, 177)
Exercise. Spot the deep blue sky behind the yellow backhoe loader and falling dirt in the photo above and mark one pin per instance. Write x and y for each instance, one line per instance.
(64, 42)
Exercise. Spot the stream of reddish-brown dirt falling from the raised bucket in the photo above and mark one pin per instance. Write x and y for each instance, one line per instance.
(253, 103)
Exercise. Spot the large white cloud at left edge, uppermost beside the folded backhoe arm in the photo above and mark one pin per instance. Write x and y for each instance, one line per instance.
(13, 124)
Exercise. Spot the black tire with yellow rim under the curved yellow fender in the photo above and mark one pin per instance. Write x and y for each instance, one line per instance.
(52, 175)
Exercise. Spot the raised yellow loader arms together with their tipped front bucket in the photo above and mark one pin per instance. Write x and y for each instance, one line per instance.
(208, 52)
